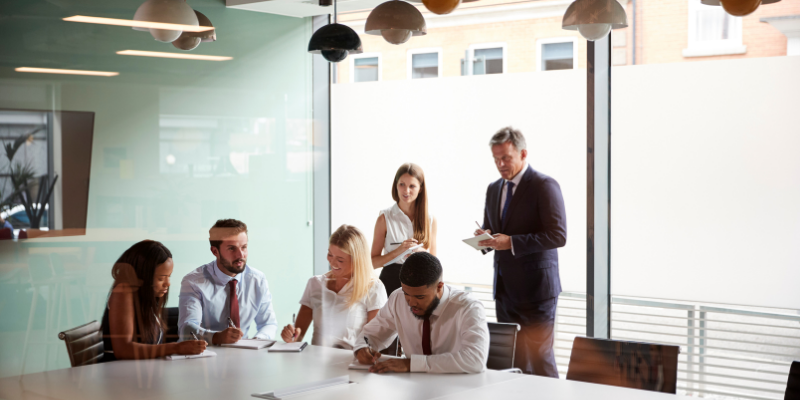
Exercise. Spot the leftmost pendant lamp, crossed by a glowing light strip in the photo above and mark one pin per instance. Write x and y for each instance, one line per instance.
(168, 12)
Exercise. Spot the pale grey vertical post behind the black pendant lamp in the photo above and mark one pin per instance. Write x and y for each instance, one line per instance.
(321, 103)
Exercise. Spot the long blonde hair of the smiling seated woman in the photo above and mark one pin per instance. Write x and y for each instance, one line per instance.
(353, 243)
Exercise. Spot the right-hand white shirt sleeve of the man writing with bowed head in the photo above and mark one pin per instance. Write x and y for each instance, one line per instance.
(474, 349)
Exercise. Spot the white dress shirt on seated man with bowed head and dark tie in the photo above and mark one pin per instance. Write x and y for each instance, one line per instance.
(459, 333)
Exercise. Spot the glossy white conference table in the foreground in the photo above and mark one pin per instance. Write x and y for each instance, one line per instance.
(234, 374)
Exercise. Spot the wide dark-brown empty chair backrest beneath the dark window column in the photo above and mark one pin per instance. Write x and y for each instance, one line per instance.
(627, 364)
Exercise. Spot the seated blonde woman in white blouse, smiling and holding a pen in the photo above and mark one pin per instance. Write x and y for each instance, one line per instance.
(343, 300)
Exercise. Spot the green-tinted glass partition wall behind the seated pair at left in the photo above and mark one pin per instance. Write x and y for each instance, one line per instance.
(175, 144)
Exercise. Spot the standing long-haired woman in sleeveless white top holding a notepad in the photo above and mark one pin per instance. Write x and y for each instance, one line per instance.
(404, 225)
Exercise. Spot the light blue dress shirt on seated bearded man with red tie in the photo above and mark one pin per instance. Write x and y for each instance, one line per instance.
(205, 306)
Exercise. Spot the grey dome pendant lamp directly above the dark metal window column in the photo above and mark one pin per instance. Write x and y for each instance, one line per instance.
(594, 19)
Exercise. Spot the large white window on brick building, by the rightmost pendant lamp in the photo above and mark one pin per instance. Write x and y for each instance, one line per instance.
(712, 31)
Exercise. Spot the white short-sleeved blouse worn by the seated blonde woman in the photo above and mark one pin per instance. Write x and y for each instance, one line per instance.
(335, 324)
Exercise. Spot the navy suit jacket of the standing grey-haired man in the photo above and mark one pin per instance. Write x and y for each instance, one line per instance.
(537, 224)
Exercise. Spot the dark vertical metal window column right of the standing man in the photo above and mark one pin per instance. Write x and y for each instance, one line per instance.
(598, 189)
